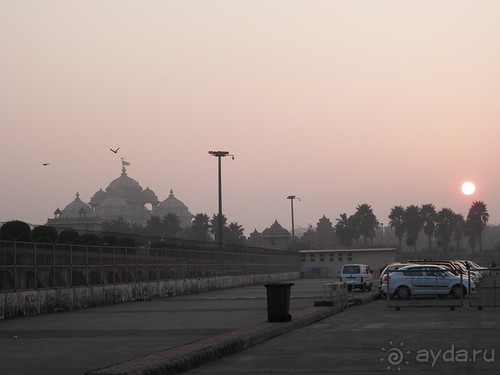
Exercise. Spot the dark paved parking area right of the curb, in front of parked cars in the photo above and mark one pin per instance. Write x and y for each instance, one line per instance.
(372, 338)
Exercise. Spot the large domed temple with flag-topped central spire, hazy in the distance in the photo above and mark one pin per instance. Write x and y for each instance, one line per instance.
(124, 199)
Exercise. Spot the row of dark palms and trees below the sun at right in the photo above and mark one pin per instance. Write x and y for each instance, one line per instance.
(442, 228)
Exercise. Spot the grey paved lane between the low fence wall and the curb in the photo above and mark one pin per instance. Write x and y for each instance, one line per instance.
(78, 342)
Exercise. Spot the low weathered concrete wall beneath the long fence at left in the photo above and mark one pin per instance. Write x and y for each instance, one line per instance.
(31, 302)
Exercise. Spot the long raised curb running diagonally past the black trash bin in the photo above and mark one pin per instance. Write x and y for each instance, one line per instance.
(185, 357)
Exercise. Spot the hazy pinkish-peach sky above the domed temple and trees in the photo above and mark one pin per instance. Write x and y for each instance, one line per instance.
(337, 102)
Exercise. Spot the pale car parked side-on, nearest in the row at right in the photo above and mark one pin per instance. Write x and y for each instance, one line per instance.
(426, 280)
